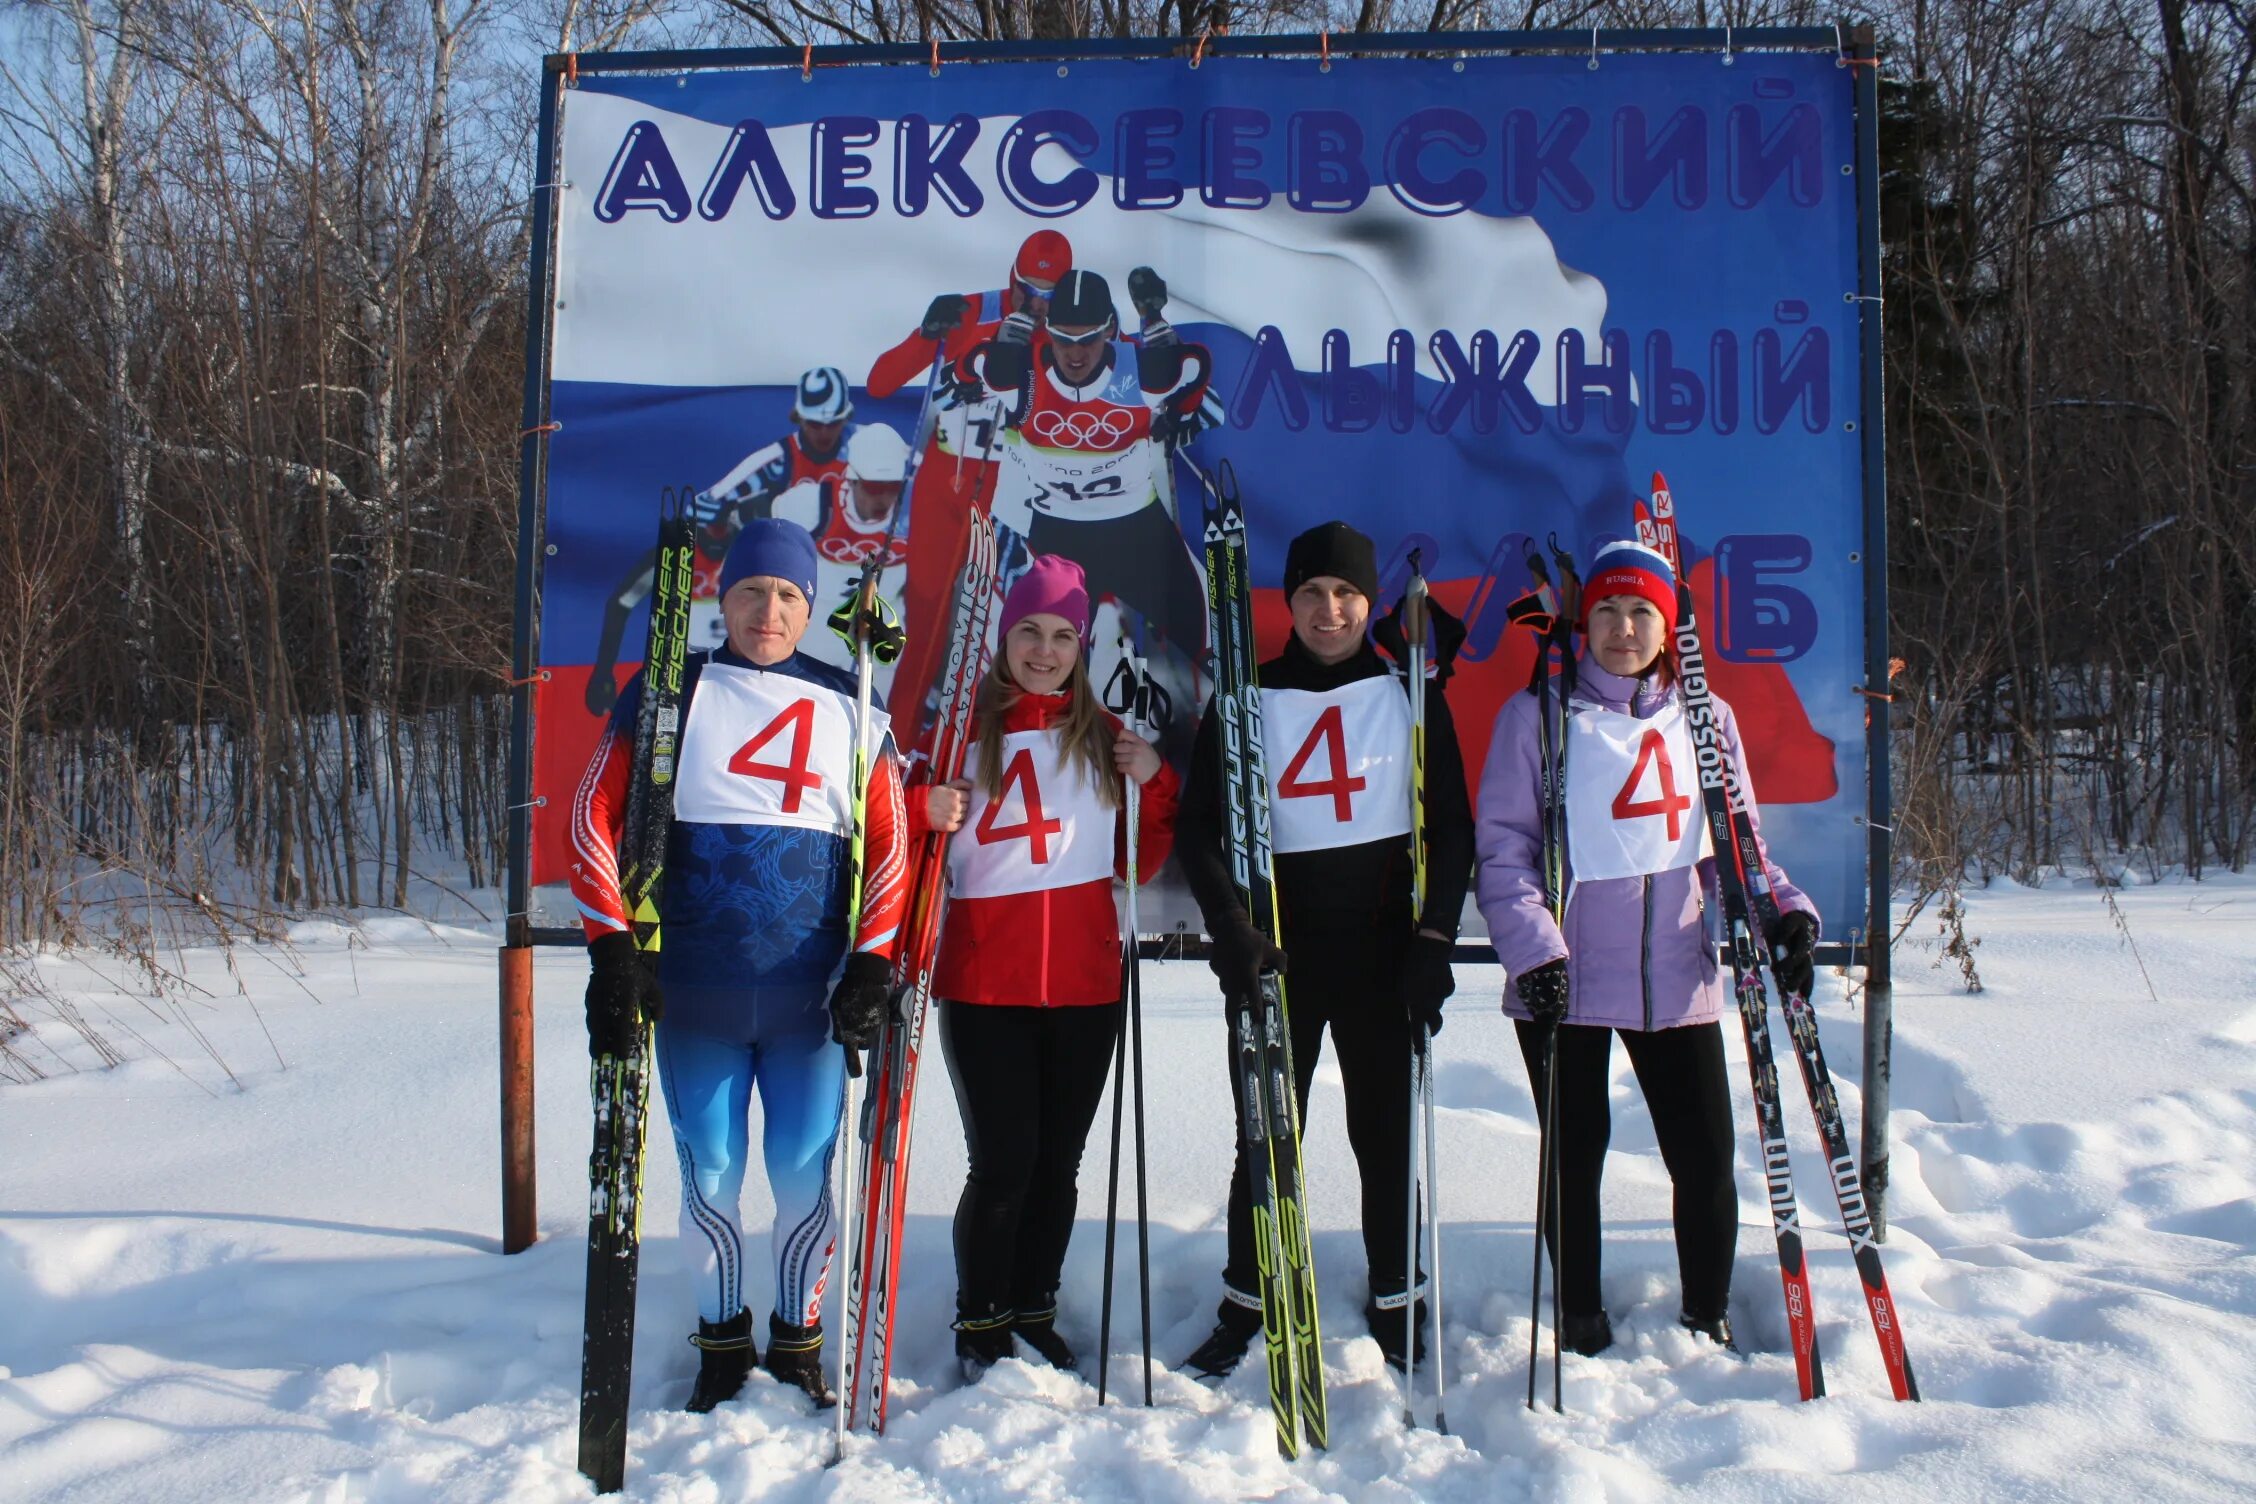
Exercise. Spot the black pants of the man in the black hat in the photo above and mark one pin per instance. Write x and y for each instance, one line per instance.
(1352, 984)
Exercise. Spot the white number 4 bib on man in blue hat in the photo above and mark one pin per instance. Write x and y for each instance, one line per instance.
(770, 750)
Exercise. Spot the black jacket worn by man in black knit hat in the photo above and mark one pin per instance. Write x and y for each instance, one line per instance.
(1346, 887)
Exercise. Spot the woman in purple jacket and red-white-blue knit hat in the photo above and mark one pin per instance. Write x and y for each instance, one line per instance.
(1632, 953)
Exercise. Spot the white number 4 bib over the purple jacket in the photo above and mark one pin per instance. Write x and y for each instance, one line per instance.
(1632, 795)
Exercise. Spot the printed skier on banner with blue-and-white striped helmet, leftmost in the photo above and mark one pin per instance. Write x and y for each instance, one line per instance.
(813, 450)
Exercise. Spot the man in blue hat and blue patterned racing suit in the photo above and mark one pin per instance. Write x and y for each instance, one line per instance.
(761, 980)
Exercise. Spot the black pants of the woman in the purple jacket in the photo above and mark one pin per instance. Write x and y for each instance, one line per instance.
(1682, 1074)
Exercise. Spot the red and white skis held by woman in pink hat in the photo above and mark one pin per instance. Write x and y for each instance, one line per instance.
(874, 1248)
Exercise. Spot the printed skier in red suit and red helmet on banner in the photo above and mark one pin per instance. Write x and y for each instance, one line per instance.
(955, 461)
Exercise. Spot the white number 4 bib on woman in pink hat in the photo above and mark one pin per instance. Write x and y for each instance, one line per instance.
(1046, 829)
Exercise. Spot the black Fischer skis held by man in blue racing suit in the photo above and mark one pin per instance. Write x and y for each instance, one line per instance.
(622, 1086)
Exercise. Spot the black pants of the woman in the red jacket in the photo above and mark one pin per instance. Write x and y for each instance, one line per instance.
(1028, 1086)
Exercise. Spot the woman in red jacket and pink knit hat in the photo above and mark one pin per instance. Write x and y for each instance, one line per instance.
(1030, 973)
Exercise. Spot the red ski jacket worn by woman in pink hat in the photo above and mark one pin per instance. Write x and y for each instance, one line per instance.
(1052, 948)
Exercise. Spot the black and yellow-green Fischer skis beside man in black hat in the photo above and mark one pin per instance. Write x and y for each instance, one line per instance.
(1264, 1041)
